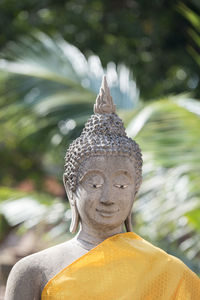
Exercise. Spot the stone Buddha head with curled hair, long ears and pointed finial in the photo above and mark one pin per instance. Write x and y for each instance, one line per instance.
(101, 158)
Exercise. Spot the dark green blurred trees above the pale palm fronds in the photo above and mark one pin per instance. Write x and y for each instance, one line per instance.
(148, 36)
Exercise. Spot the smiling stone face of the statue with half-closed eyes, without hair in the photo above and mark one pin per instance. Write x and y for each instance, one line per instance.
(105, 192)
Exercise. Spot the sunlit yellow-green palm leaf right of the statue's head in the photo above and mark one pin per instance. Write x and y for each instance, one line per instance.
(168, 133)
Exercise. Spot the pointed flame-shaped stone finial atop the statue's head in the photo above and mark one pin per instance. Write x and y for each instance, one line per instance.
(104, 102)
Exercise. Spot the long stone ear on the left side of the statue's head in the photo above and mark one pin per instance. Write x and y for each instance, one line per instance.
(72, 200)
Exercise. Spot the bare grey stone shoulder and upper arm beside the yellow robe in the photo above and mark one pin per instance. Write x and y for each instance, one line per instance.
(29, 275)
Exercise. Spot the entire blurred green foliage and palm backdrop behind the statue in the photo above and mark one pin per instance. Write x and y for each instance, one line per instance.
(47, 91)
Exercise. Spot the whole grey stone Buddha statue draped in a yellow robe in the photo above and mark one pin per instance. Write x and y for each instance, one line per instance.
(103, 173)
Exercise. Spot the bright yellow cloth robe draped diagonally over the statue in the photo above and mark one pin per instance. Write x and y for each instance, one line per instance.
(124, 267)
